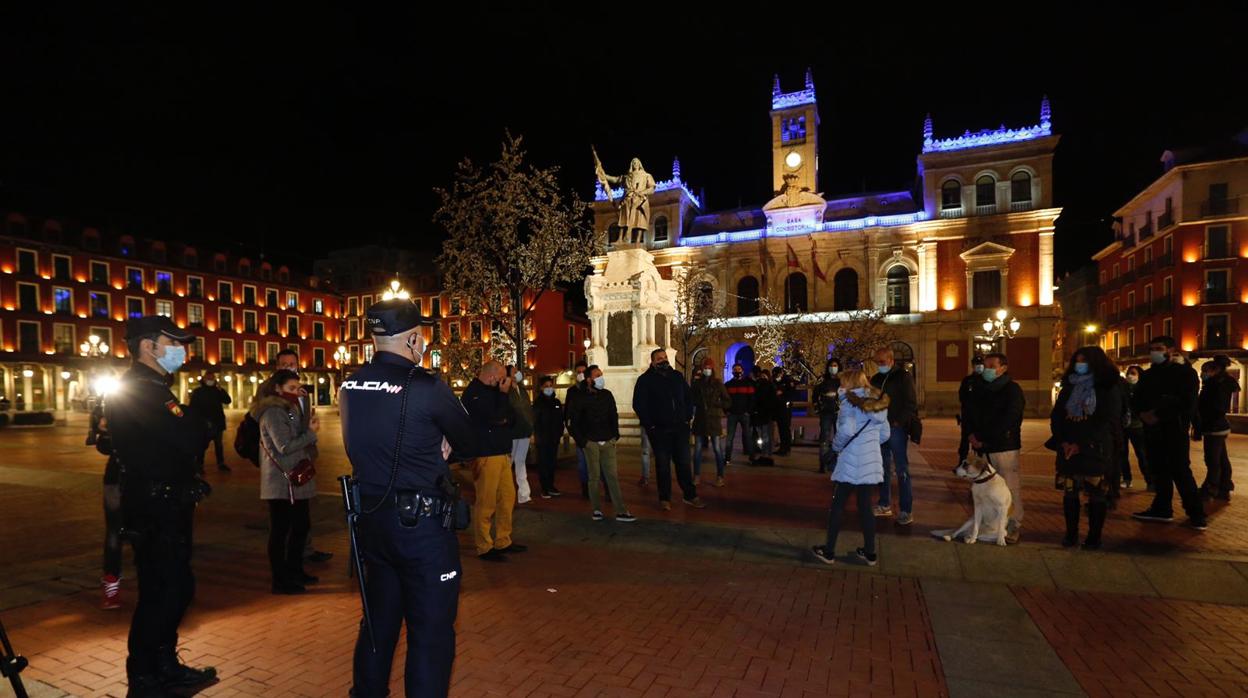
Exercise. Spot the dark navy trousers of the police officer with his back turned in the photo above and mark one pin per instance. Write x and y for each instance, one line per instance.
(412, 576)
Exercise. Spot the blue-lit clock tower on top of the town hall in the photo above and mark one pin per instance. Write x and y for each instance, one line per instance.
(796, 137)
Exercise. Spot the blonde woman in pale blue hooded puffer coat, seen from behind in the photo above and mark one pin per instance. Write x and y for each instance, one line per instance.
(862, 429)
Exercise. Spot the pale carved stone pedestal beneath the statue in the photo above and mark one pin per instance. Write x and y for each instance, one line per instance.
(632, 309)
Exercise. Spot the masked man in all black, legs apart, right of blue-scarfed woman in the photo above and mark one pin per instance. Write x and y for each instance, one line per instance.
(1165, 400)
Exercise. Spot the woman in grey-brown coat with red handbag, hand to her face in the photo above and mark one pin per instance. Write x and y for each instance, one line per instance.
(286, 478)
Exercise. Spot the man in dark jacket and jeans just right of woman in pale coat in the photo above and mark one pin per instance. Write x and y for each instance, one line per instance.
(895, 383)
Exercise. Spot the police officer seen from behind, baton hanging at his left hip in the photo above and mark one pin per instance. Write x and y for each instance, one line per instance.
(412, 561)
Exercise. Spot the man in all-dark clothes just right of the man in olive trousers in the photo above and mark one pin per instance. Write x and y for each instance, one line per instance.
(665, 406)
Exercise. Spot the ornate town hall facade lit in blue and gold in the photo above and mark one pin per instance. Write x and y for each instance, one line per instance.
(974, 238)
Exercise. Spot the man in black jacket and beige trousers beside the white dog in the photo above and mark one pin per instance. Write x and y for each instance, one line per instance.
(998, 430)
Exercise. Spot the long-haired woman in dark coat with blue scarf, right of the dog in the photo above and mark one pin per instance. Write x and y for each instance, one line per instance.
(1088, 435)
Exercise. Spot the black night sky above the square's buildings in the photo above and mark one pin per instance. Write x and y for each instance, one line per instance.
(321, 128)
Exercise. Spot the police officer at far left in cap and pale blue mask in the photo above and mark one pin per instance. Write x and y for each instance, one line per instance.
(158, 444)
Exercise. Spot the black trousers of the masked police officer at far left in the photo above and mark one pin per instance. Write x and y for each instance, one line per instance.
(167, 585)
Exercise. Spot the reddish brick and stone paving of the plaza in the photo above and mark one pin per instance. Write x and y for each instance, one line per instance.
(717, 602)
